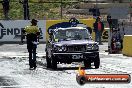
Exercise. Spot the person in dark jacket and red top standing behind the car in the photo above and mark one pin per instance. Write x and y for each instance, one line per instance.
(98, 29)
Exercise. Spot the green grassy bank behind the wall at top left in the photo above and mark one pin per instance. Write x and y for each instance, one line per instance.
(38, 9)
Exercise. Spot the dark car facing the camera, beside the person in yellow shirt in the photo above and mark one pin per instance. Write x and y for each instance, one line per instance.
(73, 44)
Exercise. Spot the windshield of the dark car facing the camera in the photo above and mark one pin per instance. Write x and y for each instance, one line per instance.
(71, 34)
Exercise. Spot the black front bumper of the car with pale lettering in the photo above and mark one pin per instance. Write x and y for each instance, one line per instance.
(76, 57)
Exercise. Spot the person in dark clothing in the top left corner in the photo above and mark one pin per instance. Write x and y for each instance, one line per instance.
(5, 4)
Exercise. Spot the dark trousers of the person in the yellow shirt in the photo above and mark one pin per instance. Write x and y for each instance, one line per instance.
(32, 55)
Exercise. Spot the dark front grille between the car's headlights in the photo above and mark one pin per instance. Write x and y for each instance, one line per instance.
(76, 48)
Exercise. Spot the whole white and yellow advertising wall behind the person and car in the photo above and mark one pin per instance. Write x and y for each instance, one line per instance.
(10, 30)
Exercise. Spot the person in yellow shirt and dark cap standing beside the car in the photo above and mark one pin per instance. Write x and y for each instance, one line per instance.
(32, 33)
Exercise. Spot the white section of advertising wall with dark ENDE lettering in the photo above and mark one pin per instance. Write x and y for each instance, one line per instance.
(10, 30)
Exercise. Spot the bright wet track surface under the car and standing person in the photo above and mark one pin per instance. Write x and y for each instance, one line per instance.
(15, 73)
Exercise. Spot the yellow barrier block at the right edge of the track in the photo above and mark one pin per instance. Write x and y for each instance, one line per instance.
(127, 45)
